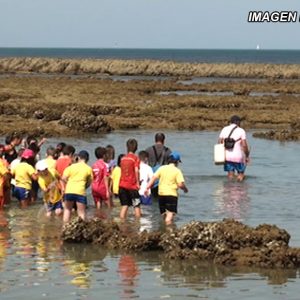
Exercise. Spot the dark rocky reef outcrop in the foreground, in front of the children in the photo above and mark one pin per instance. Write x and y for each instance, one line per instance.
(228, 242)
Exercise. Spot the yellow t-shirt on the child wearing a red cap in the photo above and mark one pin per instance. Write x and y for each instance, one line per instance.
(22, 173)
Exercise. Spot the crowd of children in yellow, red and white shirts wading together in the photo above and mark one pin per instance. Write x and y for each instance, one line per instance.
(64, 176)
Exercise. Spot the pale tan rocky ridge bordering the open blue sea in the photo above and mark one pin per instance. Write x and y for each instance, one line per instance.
(146, 68)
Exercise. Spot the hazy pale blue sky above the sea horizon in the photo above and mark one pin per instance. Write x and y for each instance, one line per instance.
(186, 24)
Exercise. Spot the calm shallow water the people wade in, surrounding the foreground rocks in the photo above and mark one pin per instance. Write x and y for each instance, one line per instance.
(35, 264)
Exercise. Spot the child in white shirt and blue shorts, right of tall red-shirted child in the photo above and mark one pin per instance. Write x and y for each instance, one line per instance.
(146, 174)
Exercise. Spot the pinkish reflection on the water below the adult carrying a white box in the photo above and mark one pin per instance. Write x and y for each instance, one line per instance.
(232, 199)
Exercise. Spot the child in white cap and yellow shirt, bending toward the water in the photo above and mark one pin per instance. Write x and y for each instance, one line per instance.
(49, 184)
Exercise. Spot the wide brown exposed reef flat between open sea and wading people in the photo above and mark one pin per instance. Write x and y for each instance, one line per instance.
(57, 102)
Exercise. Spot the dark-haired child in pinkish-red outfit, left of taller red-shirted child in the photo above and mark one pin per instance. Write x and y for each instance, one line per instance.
(100, 188)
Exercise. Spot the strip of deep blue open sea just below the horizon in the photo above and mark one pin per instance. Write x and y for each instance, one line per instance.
(180, 55)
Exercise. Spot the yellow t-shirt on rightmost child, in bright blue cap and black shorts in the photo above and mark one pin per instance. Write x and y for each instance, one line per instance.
(169, 177)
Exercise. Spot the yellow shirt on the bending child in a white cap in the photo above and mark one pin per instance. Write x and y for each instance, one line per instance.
(50, 180)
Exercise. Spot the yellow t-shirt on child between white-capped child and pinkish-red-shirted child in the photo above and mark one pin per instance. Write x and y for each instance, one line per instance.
(79, 176)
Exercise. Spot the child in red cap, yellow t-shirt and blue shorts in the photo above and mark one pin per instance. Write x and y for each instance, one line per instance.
(24, 173)
